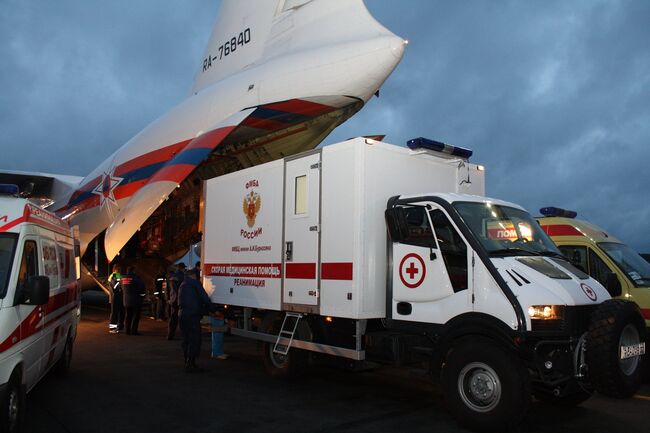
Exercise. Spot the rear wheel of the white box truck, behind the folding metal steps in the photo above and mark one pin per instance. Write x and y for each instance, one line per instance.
(287, 366)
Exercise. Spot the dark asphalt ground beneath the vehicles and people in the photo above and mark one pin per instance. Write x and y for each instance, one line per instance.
(120, 383)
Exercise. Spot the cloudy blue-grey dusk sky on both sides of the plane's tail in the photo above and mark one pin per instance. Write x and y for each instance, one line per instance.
(553, 96)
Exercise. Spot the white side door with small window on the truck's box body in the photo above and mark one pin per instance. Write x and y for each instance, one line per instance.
(301, 234)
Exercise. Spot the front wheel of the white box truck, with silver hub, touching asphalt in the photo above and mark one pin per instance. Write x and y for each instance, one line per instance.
(486, 388)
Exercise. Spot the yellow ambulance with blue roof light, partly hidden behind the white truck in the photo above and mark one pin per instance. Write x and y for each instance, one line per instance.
(607, 259)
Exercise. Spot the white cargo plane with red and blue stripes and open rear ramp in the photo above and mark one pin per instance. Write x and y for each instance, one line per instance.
(275, 79)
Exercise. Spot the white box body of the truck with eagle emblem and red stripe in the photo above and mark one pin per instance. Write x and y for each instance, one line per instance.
(307, 234)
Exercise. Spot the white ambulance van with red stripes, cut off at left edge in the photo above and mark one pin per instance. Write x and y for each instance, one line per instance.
(39, 300)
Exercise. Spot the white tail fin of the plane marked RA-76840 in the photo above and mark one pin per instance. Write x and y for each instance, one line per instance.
(248, 33)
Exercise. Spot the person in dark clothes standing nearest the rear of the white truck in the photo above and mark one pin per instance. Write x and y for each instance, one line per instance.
(193, 303)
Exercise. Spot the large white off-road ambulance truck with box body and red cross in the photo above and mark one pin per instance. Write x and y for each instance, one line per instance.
(336, 251)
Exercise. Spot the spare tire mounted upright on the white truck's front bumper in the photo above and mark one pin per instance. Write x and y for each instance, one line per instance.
(614, 324)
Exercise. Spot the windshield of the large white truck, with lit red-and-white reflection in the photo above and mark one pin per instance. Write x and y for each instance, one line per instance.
(506, 231)
